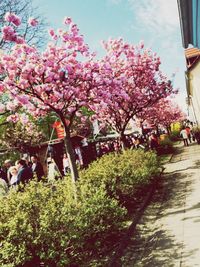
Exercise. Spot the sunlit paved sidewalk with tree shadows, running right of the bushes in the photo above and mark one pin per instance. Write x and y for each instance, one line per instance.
(169, 233)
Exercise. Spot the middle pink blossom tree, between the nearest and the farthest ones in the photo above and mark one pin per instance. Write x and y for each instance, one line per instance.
(129, 81)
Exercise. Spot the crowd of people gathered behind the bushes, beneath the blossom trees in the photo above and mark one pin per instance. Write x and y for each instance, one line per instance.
(23, 170)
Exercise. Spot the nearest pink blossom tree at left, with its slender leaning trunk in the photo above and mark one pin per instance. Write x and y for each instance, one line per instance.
(59, 79)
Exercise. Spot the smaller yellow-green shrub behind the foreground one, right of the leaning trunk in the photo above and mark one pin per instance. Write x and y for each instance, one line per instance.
(121, 174)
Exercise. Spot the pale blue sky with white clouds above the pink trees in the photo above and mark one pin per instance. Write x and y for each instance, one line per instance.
(156, 22)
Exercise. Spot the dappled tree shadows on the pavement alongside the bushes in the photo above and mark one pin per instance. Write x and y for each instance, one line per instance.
(151, 246)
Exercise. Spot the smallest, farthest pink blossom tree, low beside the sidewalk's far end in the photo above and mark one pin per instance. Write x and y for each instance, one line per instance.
(163, 113)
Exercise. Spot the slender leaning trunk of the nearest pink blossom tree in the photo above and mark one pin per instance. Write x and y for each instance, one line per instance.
(70, 152)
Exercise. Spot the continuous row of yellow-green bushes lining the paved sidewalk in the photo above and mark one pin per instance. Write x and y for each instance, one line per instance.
(60, 225)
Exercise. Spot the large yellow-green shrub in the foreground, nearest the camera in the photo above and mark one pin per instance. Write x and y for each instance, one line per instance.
(51, 225)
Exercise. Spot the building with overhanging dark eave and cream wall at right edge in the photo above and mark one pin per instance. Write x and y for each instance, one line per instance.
(189, 15)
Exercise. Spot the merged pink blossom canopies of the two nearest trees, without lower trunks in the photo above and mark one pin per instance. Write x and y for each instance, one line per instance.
(66, 77)
